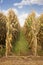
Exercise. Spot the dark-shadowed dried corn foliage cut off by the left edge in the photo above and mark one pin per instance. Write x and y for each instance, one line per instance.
(3, 29)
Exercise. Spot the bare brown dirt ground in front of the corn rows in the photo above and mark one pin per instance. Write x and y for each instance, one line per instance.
(22, 60)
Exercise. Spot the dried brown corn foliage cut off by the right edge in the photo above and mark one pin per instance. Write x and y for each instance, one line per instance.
(40, 34)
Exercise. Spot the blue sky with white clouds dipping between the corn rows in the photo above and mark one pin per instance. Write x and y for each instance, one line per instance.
(22, 8)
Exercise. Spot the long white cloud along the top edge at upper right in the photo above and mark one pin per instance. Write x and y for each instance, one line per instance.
(28, 2)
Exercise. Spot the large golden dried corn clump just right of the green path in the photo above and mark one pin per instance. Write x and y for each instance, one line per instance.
(31, 30)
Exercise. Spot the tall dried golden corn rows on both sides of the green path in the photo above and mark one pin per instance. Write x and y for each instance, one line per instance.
(10, 31)
